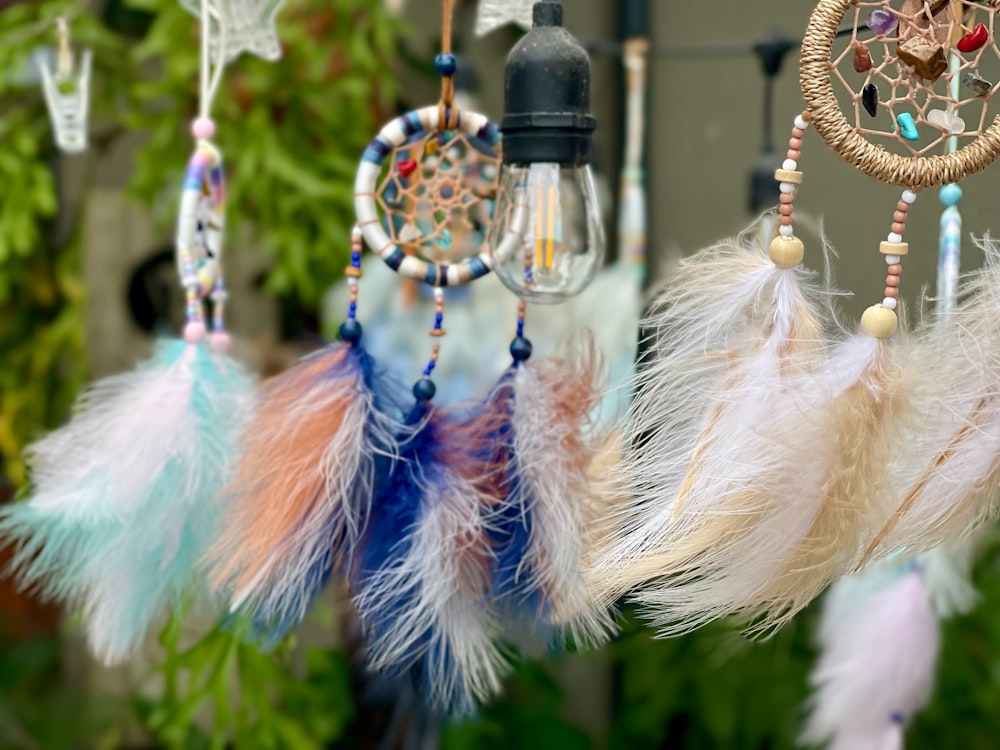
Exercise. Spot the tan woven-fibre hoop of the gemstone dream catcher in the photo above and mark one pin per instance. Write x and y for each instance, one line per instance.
(858, 151)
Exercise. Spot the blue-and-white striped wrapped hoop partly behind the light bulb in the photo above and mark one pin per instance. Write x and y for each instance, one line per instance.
(396, 134)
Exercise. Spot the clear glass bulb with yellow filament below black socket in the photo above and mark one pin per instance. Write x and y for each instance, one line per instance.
(546, 238)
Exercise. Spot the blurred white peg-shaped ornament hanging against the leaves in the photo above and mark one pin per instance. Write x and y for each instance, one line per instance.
(67, 91)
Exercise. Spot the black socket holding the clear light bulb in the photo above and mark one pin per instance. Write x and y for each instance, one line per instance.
(547, 95)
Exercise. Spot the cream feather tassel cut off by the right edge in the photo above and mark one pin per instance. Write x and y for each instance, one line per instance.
(948, 480)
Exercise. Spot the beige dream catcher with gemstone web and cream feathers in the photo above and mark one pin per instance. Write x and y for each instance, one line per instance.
(764, 452)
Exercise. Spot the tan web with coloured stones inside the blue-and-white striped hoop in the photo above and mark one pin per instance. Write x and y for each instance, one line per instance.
(436, 194)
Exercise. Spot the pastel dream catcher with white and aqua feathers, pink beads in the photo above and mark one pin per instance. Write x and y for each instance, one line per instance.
(122, 505)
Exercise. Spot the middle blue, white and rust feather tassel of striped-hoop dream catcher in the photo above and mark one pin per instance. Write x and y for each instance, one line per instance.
(422, 576)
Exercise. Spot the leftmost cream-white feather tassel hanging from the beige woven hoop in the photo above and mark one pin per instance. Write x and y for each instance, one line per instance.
(715, 509)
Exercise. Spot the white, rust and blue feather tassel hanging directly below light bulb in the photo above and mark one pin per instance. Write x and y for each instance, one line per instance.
(545, 507)
